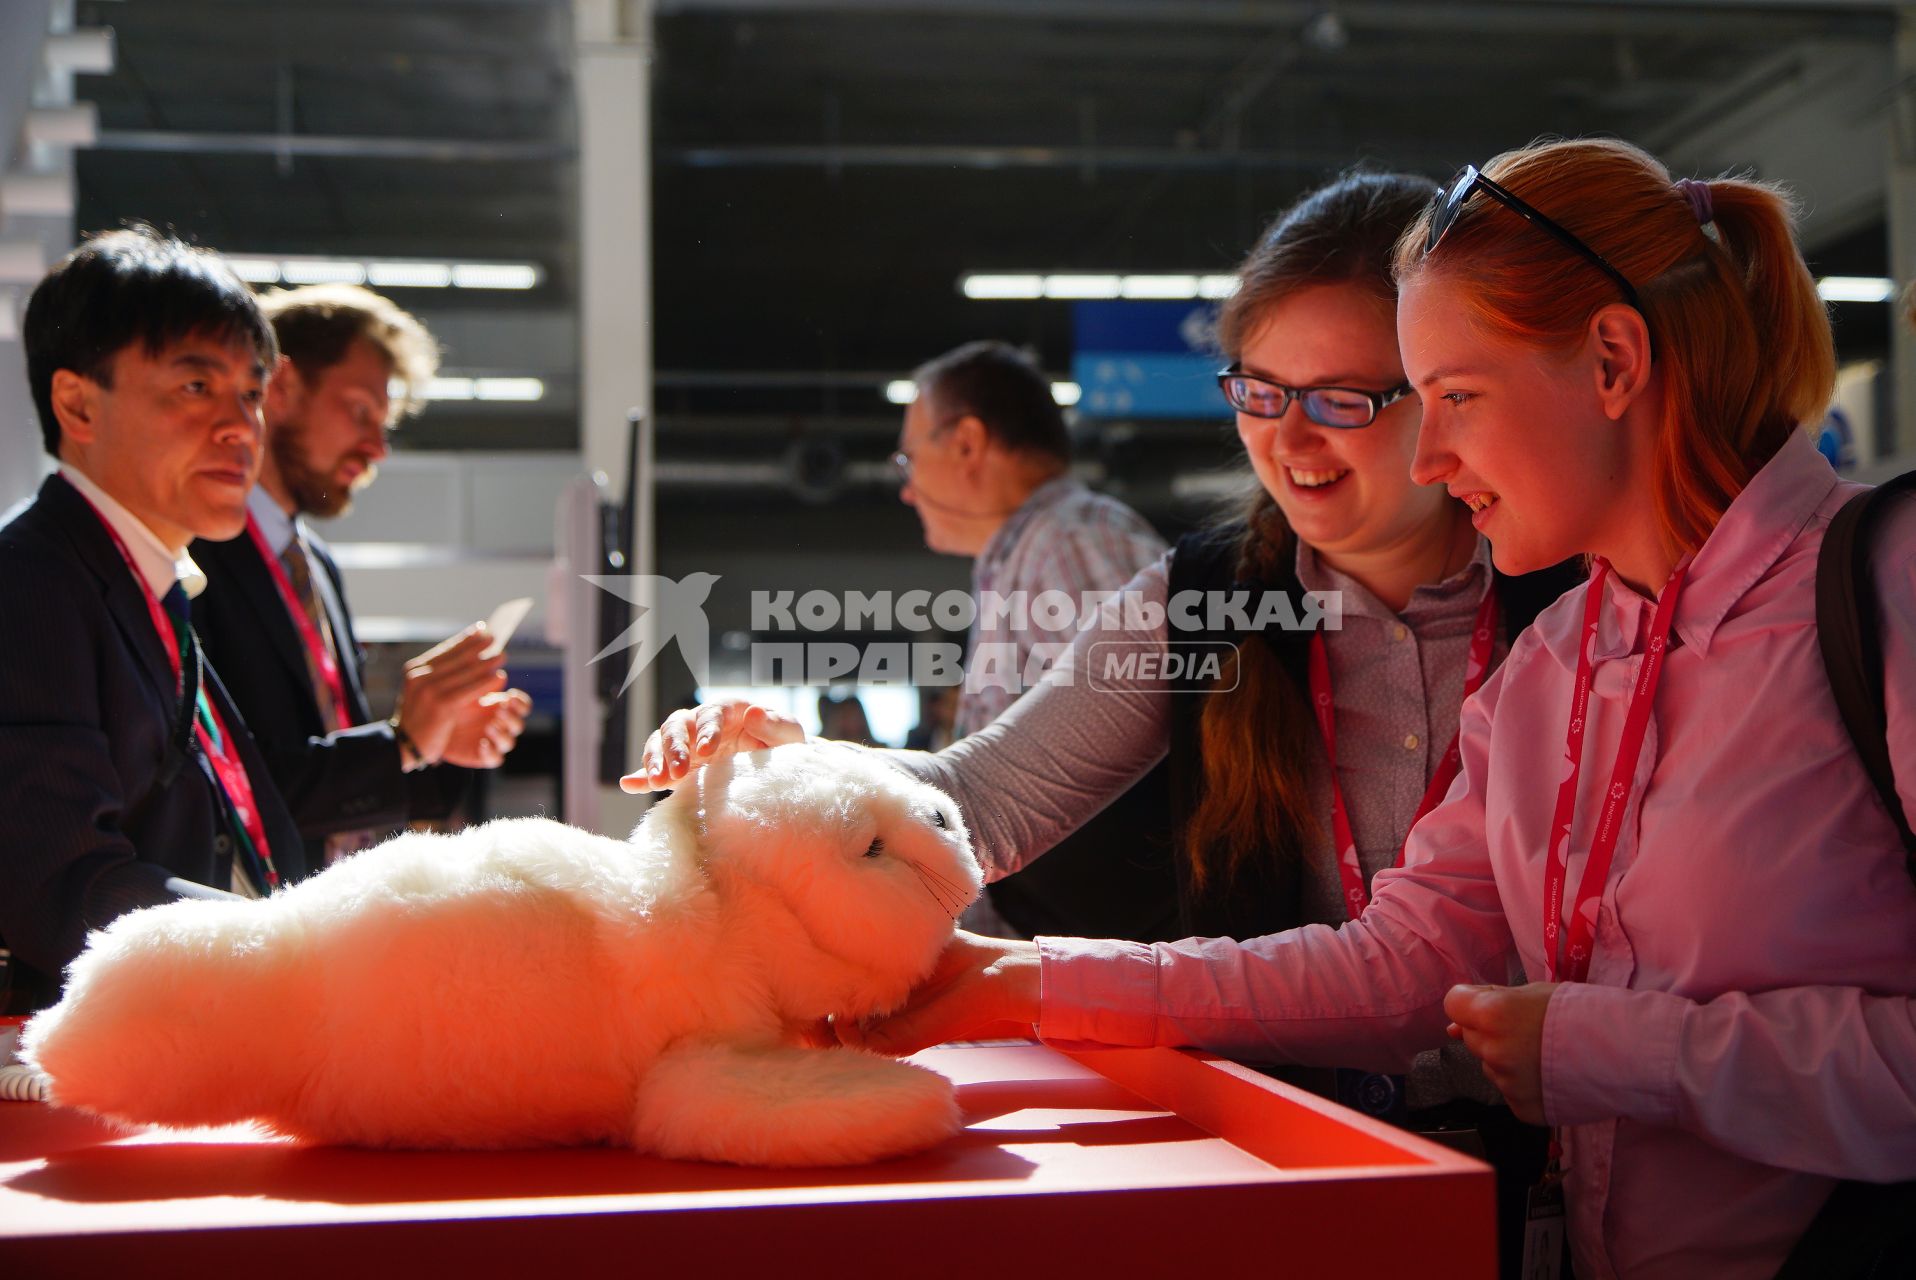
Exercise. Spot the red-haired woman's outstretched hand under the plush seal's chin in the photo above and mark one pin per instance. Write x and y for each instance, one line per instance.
(982, 990)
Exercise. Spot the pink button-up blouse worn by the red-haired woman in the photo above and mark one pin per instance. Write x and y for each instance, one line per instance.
(1748, 1032)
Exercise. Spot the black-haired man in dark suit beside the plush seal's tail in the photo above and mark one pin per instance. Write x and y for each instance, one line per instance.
(127, 777)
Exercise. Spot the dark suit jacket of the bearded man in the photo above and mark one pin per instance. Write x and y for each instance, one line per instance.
(342, 781)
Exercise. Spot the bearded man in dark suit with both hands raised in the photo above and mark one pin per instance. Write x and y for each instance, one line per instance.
(275, 612)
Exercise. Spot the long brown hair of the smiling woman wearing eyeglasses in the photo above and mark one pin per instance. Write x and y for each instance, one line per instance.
(1256, 741)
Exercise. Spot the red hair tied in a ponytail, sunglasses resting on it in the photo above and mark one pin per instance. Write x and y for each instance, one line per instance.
(1737, 325)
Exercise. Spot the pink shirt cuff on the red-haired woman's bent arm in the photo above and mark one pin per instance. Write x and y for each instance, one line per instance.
(1610, 1053)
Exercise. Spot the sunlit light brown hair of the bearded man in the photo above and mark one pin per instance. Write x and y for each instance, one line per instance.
(319, 323)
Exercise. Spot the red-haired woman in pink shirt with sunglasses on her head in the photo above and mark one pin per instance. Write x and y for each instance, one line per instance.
(1660, 813)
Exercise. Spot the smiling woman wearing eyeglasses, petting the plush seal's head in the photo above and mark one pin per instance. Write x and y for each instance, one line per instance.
(1283, 815)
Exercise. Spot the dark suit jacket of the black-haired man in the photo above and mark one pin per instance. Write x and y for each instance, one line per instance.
(87, 712)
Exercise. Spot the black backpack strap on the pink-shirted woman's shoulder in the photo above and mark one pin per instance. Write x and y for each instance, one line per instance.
(1850, 635)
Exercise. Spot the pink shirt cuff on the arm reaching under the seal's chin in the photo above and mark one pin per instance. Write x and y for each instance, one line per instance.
(1097, 992)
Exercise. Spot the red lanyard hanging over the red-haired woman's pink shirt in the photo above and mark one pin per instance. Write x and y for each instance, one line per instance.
(1576, 967)
